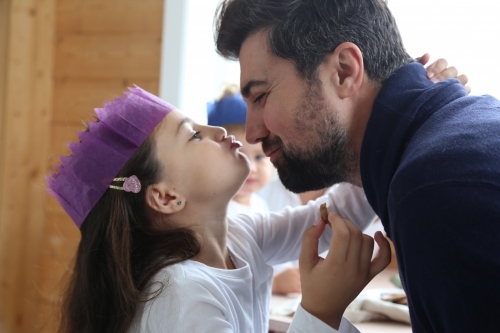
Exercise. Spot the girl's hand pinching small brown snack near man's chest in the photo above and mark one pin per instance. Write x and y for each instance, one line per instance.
(329, 285)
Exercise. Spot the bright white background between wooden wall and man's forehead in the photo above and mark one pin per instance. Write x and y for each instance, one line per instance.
(189, 59)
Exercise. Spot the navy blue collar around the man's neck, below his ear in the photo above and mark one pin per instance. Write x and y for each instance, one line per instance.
(404, 103)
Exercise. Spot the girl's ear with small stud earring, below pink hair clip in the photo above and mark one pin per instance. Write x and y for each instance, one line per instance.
(163, 200)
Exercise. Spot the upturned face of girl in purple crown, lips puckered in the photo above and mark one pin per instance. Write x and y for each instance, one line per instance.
(200, 162)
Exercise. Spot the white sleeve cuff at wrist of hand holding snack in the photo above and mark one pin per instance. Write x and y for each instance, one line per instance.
(304, 322)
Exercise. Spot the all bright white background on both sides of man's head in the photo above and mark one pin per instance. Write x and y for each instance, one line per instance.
(466, 33)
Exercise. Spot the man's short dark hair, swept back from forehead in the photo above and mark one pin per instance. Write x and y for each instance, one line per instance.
(306, 31)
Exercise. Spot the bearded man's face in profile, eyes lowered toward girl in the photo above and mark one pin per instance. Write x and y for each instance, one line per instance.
(299, 128)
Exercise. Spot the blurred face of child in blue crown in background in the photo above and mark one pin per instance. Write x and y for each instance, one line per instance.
(261, 166)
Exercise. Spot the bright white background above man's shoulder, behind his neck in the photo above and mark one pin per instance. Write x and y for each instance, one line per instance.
(466, 33)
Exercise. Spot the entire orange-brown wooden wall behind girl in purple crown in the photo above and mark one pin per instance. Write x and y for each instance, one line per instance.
(59, 59)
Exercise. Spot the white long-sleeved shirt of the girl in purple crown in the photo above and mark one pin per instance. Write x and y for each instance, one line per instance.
(198, 298)
